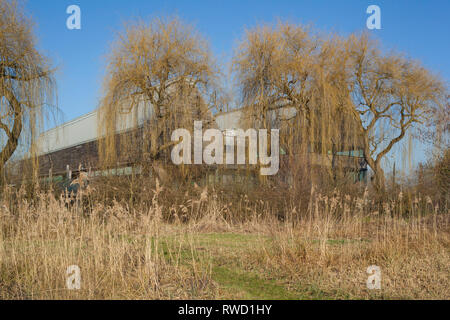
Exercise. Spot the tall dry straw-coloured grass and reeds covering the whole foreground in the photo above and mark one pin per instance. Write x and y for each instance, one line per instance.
(154, 251)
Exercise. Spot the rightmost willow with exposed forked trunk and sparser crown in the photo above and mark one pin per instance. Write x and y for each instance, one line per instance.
(392, 96)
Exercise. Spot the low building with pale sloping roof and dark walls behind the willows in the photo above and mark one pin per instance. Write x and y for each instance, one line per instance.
(73, 146)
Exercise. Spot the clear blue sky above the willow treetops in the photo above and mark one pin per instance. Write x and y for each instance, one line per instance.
(420, 28)
